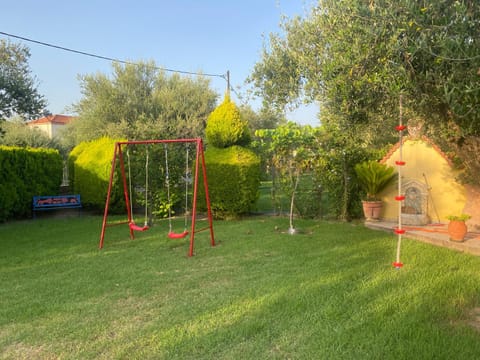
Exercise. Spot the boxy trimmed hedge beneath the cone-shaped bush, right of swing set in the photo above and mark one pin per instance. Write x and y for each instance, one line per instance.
(233, 181)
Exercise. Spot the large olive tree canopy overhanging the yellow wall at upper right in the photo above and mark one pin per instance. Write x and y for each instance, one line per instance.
(356, 57)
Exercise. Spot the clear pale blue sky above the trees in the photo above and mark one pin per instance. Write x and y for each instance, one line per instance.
(209, 36)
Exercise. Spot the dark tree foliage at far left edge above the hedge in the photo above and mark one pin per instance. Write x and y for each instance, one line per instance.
(18, 89)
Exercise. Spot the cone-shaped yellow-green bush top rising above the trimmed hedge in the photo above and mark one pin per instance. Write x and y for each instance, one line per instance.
(225, 126)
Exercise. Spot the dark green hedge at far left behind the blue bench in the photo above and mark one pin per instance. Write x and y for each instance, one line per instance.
(24, 173)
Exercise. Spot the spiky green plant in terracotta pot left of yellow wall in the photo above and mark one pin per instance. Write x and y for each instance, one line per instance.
(373, 177)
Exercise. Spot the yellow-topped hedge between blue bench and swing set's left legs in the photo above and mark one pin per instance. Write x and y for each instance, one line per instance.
(90, 166)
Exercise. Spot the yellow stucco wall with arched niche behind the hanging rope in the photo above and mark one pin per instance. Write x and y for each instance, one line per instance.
(446, 195)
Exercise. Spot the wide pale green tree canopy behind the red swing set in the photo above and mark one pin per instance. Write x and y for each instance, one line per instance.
(139, 101)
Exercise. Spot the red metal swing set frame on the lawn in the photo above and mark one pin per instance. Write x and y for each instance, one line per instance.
(199, 161)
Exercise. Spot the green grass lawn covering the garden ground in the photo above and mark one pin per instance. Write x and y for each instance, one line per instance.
(330, 293)
